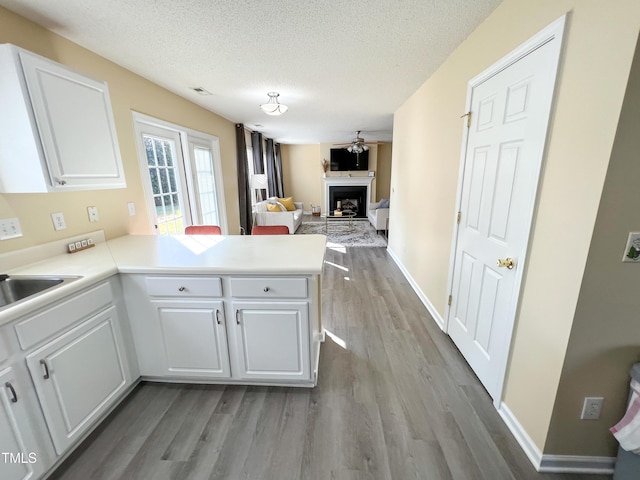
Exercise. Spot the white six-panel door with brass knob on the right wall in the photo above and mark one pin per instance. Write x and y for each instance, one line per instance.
(510, 107)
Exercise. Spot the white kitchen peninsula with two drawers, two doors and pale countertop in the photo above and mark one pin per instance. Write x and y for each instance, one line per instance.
(230, 309)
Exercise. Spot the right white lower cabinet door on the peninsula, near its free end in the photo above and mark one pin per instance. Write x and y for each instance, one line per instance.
(272, 340)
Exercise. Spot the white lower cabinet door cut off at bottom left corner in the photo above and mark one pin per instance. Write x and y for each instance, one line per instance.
(19, 458)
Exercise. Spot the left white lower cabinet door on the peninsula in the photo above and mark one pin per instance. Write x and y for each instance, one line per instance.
(194, 339)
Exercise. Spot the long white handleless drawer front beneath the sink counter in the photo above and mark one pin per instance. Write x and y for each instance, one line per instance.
(53, 320)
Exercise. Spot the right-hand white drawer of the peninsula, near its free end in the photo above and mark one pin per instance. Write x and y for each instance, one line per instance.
(269, 287)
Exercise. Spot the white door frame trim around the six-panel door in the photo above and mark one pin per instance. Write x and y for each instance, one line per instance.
(554, 31)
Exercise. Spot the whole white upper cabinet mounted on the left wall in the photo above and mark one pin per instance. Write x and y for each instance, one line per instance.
(56, 128)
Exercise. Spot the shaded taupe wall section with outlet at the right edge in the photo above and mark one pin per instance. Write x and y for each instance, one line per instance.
(605, 336)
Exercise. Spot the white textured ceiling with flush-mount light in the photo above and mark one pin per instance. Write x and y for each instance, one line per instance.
(339, 65)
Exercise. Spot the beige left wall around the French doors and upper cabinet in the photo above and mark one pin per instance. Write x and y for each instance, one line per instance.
(128, 92)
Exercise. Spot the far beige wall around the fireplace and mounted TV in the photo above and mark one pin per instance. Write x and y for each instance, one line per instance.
(303, 171)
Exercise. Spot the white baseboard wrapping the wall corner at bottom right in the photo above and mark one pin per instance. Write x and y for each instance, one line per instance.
(554, 463)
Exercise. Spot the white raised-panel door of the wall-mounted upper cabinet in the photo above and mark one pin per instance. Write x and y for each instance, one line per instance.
(73, 114)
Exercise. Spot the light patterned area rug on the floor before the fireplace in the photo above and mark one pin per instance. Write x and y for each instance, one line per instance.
(363, 234)
